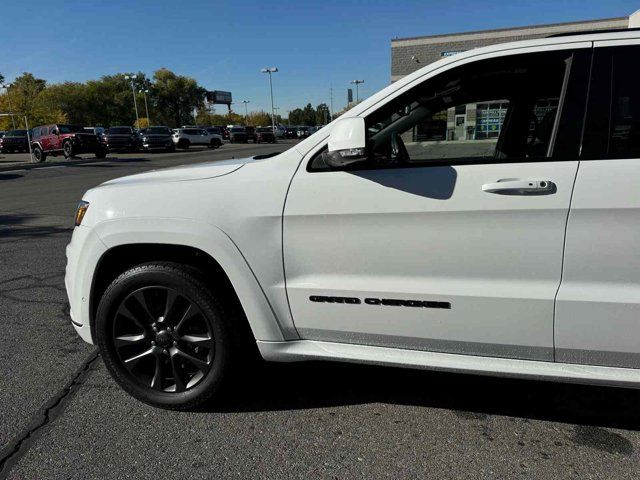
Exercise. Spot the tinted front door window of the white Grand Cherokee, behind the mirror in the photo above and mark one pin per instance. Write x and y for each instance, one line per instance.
(496, 110)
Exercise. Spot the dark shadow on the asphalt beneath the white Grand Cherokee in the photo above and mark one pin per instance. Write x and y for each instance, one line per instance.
(317, 385)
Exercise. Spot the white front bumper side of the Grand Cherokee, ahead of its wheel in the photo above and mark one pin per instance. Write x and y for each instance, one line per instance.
(83, 254)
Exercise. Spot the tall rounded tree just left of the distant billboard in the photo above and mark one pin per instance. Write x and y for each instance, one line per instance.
(174, 98)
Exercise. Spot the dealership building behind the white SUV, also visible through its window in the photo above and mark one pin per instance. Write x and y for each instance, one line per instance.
(478, 121)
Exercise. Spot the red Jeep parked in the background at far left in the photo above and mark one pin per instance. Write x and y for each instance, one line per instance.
(67, 140)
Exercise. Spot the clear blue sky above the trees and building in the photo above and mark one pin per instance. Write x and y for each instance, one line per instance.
(223, 44)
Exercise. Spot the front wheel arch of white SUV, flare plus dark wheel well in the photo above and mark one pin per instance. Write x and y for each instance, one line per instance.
(208, 249)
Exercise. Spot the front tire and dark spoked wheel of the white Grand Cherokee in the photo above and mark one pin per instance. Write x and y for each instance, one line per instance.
(135, 365)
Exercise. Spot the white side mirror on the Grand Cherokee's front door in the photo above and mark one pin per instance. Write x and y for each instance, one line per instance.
(347, 143)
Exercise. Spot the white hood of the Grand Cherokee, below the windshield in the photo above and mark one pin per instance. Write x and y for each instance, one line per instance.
(183, 173)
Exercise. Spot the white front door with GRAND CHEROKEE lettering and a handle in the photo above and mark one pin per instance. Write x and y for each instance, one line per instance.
(439, 244)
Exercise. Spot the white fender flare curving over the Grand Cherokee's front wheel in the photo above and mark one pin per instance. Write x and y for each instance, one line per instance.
(211, 240)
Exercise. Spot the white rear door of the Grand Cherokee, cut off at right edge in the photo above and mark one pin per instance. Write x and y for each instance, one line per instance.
(598, 306)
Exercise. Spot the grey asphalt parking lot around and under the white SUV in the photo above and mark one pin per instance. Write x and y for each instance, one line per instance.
(61, 416)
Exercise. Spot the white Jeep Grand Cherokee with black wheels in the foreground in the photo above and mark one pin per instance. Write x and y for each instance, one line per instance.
(481, 215)
